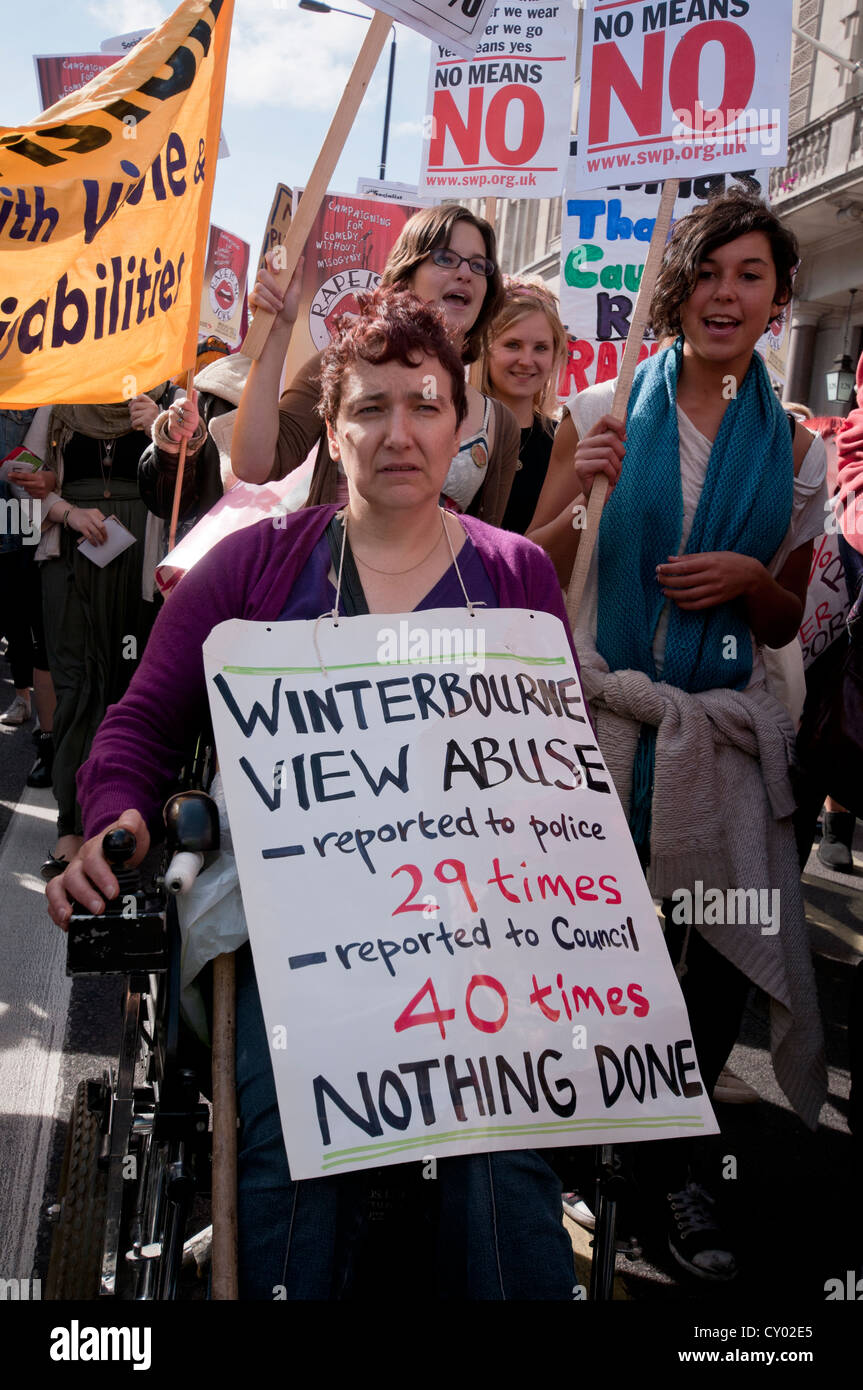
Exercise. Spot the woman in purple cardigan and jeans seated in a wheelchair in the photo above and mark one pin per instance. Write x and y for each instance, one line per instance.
(394, 397)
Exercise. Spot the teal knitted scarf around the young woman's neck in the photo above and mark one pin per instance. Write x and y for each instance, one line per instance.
(744, 507)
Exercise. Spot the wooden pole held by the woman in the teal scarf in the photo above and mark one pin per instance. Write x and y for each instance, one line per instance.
(622, 394)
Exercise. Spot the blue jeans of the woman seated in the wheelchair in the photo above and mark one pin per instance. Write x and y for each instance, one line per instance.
(498, 1217)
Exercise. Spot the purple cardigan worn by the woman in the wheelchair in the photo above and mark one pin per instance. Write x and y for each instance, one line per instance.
(144, 740)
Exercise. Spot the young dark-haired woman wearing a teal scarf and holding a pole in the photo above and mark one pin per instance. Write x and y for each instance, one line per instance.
(702, 559)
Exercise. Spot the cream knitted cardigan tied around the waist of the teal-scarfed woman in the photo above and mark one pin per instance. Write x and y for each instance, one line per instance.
(722, 814)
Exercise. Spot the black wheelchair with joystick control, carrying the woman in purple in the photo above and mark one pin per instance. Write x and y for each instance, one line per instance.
(138, 1145)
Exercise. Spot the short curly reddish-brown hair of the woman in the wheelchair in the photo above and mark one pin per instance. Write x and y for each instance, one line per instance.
(393, 326)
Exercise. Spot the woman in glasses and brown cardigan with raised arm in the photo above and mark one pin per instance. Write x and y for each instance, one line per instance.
(448, 258)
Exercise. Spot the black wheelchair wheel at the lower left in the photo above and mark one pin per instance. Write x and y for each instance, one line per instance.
(76, 1266)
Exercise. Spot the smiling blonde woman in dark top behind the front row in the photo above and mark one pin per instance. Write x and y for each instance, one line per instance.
(527, 348)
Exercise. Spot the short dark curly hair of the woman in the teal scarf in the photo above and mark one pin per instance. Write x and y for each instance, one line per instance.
(694, 238)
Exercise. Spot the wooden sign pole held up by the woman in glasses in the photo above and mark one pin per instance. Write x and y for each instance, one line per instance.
(319, 181)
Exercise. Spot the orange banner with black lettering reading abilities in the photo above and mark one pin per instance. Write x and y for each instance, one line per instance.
(104, 233)
